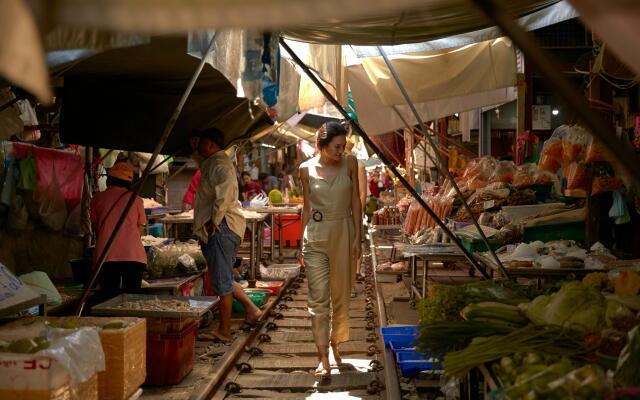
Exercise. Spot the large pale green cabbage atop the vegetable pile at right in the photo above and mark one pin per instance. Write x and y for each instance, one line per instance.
(574, 305)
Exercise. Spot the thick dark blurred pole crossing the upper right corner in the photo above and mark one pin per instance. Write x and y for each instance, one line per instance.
(622, 155)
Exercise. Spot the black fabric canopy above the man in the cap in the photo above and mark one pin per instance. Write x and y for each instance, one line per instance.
(123, 98)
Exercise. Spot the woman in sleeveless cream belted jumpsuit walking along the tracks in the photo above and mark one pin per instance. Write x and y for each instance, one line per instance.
(331, 222)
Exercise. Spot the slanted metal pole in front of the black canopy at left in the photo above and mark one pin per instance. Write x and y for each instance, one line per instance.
(136, 189)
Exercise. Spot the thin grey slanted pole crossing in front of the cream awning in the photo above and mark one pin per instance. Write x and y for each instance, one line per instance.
(445, 171)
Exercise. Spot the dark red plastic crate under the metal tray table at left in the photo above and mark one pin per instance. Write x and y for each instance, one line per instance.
(170, 357)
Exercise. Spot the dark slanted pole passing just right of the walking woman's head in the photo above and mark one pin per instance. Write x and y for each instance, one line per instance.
(384, 159)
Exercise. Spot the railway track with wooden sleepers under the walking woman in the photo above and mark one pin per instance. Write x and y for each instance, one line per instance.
(278, 358)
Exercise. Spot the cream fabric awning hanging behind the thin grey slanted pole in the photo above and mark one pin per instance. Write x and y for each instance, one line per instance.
(441, 83)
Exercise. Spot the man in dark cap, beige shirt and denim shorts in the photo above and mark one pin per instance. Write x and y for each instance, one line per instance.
(220, 226)
